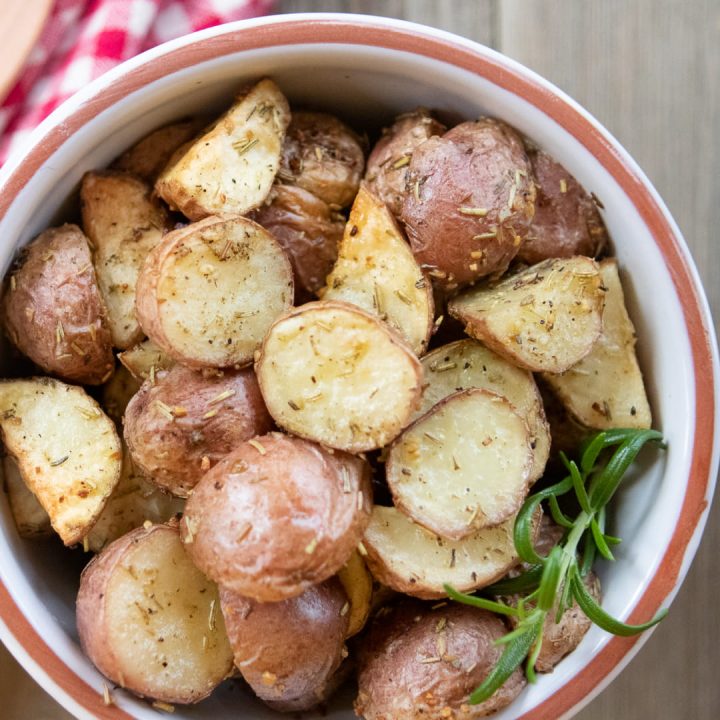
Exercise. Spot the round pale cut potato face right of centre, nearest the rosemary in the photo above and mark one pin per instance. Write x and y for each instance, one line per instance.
(462, 467)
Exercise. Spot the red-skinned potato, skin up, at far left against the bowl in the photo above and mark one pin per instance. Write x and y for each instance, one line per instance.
(53, 310)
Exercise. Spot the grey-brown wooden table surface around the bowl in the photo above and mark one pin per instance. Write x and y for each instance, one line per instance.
(649, 70)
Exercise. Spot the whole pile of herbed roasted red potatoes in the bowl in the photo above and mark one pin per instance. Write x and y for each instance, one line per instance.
(298, 330)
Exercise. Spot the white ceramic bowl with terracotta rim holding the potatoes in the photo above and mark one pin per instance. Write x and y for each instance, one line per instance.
(366, 70)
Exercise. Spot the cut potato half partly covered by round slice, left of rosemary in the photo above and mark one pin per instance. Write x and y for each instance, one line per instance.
(410, 559)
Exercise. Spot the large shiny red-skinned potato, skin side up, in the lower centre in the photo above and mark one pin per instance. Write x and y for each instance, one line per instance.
(321, 500)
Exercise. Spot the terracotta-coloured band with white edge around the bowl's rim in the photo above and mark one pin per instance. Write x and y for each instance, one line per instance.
(397, 35)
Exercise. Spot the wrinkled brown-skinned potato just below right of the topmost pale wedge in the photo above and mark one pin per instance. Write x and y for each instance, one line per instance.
(309, 232)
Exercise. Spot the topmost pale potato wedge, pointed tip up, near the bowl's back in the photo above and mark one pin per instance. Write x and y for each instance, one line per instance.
(231, 168)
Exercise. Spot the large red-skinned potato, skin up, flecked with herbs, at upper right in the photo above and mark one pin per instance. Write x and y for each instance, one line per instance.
(470, 202)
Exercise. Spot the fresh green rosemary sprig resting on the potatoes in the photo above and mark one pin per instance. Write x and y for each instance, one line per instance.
(556, 581)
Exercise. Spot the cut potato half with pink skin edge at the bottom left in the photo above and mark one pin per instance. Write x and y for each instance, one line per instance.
(151, 621)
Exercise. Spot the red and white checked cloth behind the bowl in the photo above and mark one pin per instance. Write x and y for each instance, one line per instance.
(82, 39)
